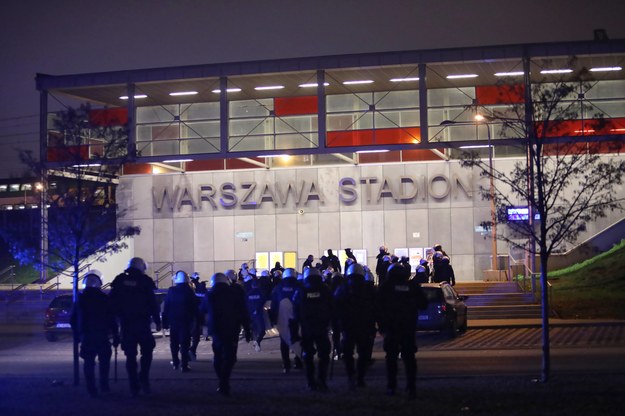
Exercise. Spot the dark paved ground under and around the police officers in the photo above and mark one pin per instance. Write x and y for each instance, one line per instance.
(259, 387)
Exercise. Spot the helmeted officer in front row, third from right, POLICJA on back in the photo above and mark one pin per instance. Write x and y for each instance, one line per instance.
(313, 309)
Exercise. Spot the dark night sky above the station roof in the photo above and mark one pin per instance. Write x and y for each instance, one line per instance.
(77, 36)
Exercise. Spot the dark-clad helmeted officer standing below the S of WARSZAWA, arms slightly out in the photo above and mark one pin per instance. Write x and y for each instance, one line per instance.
(226, 313)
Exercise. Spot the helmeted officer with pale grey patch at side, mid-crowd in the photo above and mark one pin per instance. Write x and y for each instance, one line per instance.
(282, 316)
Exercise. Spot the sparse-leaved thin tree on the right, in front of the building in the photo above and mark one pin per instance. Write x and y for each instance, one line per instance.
(569, 178)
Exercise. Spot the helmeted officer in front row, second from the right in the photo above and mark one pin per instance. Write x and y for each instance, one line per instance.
(355, 308)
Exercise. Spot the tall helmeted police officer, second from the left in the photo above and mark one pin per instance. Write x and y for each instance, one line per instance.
(134, 302)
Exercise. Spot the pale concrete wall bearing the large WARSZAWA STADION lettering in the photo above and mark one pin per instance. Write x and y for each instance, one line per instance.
(197, 224)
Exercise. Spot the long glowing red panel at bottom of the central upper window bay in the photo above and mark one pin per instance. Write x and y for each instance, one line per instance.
(374, 137)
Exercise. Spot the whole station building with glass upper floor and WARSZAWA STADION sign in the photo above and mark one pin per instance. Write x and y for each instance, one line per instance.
(273, 160)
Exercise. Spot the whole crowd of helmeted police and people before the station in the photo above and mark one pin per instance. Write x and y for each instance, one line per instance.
(320, 312)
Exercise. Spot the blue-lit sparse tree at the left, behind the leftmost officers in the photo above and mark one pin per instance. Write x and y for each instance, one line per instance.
(86, 149)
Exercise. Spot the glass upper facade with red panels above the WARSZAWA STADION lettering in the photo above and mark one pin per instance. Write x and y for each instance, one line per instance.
(369, 106)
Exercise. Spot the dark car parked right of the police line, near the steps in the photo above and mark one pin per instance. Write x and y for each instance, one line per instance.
(446, 310)
